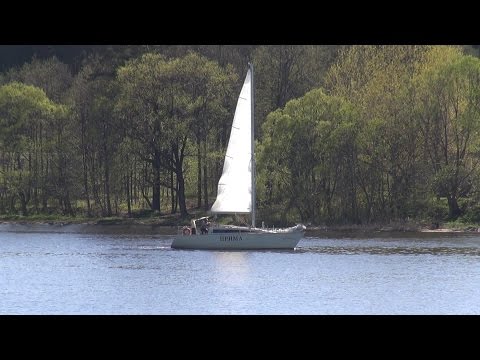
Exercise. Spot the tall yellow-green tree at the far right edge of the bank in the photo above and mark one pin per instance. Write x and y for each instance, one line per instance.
(448, 112)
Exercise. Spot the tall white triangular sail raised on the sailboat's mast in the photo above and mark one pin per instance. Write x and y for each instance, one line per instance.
(234, 193)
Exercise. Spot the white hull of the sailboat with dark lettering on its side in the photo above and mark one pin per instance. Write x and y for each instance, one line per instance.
(240, 240)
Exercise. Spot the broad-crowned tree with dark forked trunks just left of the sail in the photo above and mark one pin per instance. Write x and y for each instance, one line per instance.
(167, 102)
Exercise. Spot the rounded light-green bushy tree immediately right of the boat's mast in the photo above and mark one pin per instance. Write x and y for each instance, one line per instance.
(303, 155)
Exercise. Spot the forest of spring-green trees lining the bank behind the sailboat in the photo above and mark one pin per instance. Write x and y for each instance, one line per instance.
(353, 134)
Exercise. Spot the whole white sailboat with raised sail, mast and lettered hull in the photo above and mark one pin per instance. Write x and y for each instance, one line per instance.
(236, 193)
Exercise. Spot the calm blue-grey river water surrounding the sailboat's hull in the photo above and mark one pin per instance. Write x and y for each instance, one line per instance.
(78, 269)
